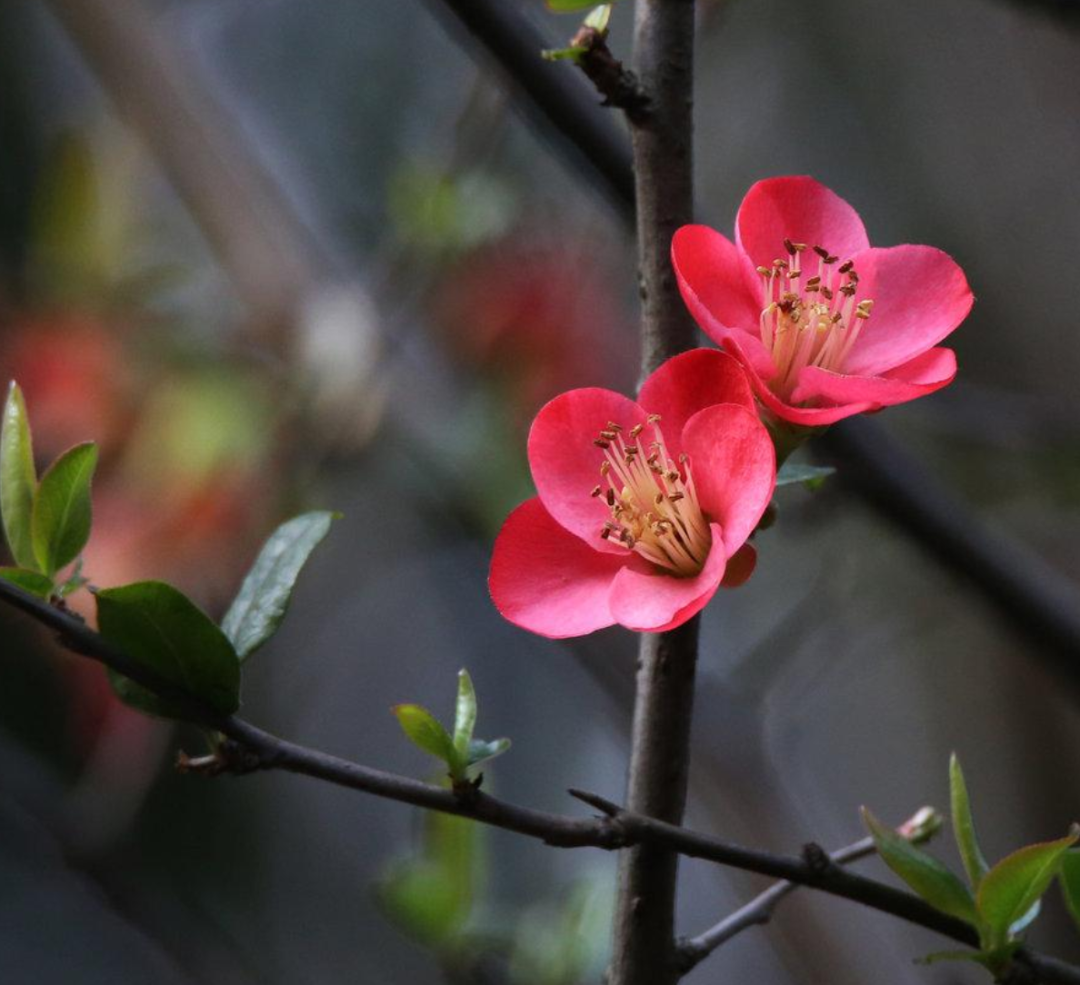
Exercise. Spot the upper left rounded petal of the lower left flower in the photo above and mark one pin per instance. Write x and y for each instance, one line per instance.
(566, 464)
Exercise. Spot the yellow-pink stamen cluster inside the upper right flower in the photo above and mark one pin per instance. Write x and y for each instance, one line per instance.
(809, 321)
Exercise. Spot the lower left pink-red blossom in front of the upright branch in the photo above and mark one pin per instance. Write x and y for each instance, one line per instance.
(644, 507)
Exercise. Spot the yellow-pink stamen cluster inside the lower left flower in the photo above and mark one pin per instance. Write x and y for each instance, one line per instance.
(653, 502)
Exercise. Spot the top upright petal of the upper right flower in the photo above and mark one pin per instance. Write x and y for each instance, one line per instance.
(802, 210)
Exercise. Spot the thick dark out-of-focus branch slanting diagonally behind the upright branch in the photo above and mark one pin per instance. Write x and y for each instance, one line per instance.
(1037, 601)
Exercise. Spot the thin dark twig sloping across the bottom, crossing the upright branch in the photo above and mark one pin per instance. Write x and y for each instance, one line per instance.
(258, 750)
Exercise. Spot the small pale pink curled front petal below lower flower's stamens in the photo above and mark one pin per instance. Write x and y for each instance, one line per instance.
(650, 601)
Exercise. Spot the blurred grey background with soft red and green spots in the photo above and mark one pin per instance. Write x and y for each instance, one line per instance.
(282, 255)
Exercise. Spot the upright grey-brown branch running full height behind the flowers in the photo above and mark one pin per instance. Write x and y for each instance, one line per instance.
(644, 936)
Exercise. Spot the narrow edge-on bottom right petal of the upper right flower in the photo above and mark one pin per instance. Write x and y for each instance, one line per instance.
(925, 374)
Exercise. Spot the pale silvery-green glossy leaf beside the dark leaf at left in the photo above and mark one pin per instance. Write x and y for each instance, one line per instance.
(264, 598)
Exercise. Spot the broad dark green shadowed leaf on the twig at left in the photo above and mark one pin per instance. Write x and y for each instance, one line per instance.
(161, 629)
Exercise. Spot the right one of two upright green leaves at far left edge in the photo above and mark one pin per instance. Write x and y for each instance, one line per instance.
(62, 512)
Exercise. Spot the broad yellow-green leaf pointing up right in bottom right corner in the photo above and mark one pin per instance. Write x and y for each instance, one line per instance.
(1010, 889)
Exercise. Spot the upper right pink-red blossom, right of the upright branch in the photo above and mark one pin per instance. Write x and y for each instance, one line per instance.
(826, 326)
